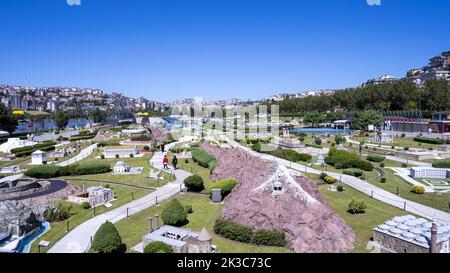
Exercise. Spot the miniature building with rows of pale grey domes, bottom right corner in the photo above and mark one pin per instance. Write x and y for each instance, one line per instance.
(408, 234)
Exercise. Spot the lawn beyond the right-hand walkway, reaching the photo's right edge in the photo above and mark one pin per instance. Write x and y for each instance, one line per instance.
(435, 200)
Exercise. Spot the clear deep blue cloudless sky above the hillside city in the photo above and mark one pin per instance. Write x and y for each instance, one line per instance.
(170, 49)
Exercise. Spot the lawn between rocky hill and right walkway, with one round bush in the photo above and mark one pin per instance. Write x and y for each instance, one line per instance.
(376, 213)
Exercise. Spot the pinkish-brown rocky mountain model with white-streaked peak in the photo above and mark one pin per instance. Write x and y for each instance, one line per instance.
(269, 196)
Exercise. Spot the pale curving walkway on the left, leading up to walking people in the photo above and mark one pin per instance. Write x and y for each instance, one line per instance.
(78, 239)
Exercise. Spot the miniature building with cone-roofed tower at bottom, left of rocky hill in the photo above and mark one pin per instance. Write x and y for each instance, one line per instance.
(182, 240)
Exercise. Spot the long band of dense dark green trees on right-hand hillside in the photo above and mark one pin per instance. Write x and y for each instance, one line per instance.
(399, 96)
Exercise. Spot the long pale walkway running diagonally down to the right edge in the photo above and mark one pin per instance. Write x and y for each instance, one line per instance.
(362, 186)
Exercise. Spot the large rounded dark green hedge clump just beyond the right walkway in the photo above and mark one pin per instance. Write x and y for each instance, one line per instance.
(345, 160)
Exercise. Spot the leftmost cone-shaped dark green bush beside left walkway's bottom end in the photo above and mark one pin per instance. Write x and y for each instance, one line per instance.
(107, 239)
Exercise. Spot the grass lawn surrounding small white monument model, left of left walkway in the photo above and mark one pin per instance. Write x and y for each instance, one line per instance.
(133, 179)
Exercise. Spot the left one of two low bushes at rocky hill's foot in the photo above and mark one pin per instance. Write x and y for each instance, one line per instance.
(233, 231)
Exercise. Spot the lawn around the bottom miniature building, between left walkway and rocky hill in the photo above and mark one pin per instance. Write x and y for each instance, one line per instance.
(205, 214)
